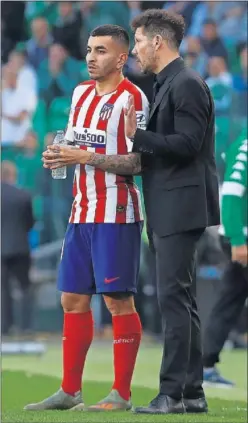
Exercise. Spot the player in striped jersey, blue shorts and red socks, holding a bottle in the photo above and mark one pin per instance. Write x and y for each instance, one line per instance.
(101, 249)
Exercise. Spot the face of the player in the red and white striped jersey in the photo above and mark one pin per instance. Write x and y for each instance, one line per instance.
(104, 57)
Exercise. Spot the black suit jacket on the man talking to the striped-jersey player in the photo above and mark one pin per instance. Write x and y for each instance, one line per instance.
(180, 182)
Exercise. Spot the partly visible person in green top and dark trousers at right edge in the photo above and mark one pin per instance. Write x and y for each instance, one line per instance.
(233, 290)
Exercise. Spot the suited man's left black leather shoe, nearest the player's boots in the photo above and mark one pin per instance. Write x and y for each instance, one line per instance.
(162, 404)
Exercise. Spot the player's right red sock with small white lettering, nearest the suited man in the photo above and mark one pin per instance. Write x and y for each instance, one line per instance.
(127, 335)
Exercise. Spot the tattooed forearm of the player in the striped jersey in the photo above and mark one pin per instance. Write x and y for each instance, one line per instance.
(126, 164)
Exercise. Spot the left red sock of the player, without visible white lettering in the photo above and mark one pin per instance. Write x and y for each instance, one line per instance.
(77, 337)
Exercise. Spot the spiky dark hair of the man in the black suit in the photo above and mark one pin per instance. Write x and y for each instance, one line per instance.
(169, 26)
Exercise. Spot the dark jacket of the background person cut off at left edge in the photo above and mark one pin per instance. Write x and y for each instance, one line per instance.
(17, 220)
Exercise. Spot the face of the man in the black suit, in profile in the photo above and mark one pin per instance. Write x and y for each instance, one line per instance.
(144, 51)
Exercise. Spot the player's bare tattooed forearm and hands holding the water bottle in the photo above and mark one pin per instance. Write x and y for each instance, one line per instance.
(126, 164)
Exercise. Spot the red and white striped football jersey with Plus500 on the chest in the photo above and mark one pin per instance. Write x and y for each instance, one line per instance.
(97, 124)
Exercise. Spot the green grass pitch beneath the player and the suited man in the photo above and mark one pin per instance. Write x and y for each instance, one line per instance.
(29, 379)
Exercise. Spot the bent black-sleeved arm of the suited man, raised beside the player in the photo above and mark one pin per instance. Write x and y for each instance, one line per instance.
(192, 110)
